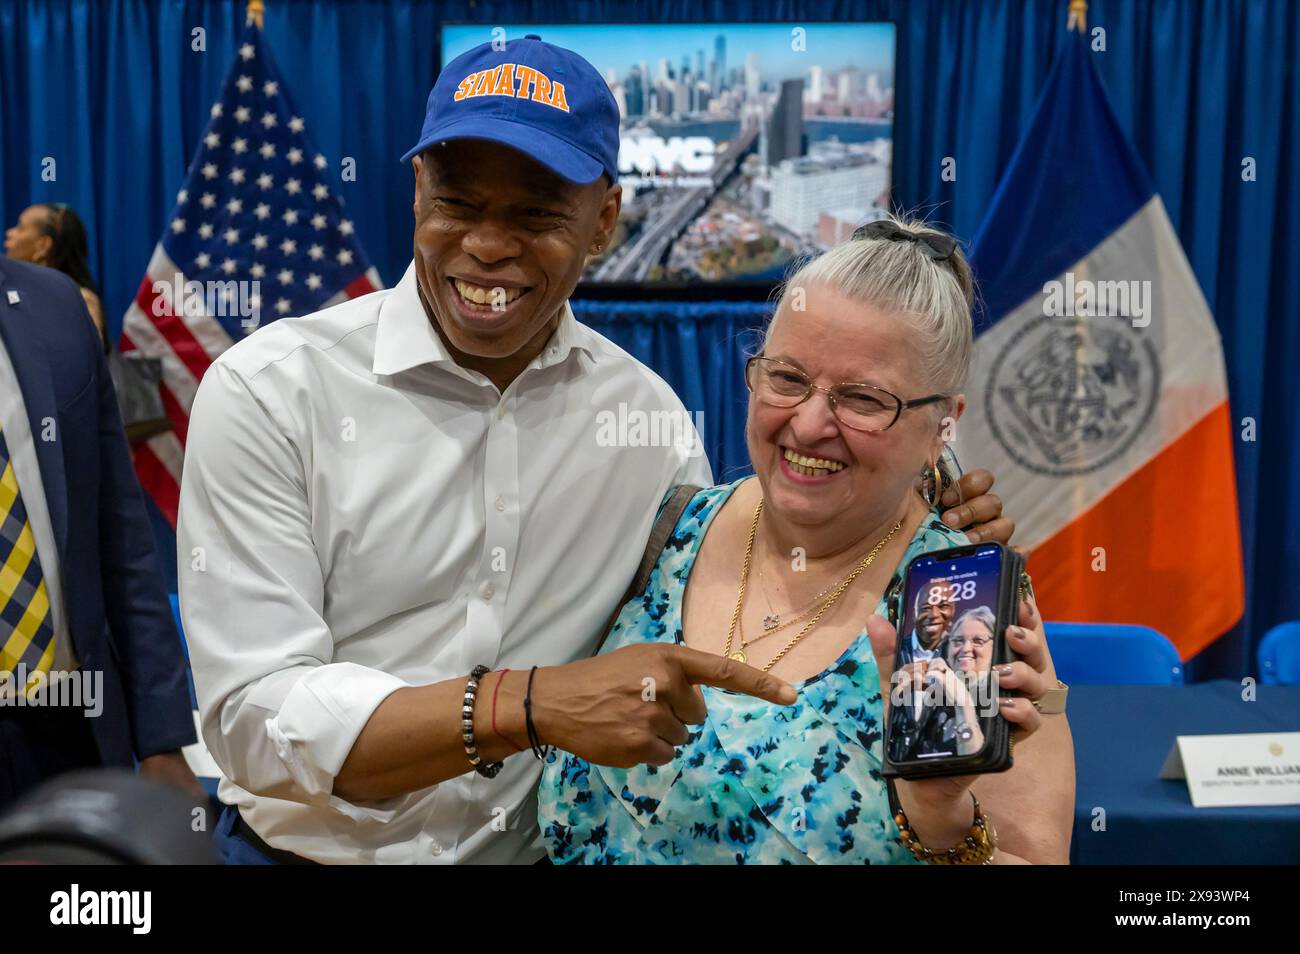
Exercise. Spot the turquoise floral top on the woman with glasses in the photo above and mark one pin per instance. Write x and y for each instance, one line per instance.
(756, 784)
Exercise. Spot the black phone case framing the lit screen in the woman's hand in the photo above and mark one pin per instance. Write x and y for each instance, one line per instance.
(996, 754)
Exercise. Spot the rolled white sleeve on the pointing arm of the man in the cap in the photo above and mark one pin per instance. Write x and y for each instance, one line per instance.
(279, 715)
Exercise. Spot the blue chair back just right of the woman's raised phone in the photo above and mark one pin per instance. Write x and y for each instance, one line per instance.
(1111, 654)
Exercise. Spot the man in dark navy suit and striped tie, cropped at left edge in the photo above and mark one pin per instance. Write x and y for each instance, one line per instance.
(83, 602)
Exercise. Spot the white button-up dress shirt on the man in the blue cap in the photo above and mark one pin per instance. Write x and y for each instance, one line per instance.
(361, 514)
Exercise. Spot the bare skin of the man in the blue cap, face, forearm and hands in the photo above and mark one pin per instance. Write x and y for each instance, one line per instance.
(495, 218)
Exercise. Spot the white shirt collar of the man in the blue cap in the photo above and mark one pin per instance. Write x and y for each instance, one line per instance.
(406, 339)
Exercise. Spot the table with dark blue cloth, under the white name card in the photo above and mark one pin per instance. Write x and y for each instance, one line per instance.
(1121, 738)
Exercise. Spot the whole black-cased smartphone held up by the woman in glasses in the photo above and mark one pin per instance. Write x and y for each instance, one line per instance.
(952, 614)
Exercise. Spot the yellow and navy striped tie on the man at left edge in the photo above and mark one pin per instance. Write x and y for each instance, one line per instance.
(27, 628)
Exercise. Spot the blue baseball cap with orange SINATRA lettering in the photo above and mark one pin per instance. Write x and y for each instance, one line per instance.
(538, 98)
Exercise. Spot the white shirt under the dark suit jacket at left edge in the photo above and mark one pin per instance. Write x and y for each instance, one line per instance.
(23, 453)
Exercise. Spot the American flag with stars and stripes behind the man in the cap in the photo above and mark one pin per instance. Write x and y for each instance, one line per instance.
(257, 235)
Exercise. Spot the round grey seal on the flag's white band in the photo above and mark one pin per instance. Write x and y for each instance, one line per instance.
(1067, 397)
